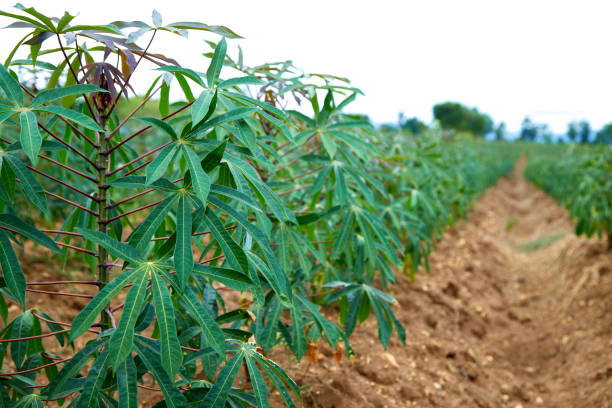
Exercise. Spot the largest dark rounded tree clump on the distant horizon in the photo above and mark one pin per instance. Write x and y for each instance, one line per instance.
(453, 115)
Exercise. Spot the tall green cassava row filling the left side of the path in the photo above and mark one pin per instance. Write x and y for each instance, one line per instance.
(175, 203)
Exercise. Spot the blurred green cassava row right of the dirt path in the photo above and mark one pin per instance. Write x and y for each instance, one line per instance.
(579, 178)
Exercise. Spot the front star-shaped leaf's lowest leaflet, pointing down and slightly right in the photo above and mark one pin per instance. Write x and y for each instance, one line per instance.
(171, 354)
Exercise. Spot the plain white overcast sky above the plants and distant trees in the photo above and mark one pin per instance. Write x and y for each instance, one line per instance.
(550, 60)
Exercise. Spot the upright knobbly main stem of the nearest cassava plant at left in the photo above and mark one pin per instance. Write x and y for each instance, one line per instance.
(102, 165)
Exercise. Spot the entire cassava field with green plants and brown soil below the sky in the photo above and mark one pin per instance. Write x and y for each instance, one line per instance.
(249, 243)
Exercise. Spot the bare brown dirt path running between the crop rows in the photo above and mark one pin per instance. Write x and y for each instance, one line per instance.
(517, 312)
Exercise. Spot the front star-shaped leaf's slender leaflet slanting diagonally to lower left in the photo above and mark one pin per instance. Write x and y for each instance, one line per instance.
(91, 311)
